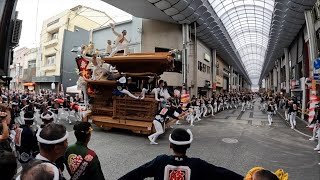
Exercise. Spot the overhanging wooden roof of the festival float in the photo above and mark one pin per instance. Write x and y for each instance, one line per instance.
(140, 62)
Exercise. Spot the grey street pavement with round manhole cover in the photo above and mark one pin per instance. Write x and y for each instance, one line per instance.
(231, 139)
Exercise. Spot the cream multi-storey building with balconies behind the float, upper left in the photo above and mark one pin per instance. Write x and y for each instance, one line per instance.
(54, 43)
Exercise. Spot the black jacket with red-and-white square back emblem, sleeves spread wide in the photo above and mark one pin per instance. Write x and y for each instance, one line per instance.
(172, 167)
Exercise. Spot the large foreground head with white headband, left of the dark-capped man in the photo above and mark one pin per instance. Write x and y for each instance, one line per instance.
(53, 142)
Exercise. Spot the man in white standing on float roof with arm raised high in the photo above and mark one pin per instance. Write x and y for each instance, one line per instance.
(121, 42)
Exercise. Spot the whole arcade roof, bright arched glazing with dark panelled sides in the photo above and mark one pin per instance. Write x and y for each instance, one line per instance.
(249, 34)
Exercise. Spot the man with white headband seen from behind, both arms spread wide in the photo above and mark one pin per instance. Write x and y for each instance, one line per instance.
(179, 166)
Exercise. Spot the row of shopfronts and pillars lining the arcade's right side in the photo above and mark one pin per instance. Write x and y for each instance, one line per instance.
(296, 64)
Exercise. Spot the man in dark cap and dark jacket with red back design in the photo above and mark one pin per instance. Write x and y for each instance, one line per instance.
(82, 162)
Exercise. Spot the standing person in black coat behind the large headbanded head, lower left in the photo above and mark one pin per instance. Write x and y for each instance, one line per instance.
(25, 140)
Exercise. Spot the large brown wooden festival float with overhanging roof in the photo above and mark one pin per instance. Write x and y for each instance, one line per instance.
(110, 111)
